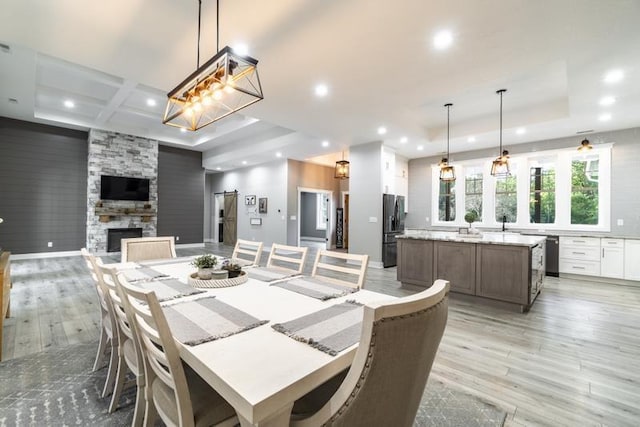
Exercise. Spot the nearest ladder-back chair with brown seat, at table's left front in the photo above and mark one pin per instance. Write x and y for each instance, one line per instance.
(175, 392)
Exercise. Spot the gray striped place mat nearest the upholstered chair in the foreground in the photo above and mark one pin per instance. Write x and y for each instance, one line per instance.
(330, 330)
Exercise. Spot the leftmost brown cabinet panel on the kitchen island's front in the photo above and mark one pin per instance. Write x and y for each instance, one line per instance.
(415, 262)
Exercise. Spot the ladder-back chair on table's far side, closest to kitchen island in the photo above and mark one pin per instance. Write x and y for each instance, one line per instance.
(340, 268)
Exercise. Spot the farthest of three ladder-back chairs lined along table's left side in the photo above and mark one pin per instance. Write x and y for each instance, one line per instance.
(108, 337)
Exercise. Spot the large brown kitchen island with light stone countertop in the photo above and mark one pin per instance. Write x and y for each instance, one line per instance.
(503, 267)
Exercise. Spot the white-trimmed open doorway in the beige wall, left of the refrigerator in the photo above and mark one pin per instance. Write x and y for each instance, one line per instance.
(314, 217)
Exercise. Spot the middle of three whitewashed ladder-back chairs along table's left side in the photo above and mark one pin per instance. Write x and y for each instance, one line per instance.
(130, 356)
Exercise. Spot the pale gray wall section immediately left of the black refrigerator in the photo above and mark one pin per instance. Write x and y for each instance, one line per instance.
(365, 201)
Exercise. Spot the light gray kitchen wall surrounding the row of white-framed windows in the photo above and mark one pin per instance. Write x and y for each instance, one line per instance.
(625, 178)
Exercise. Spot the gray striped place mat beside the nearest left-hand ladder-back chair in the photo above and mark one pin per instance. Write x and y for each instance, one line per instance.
(207, 319)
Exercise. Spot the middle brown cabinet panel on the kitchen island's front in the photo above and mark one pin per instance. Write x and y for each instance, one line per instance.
(456, 262)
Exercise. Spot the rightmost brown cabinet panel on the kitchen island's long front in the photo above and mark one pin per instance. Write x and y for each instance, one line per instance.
(494, 280)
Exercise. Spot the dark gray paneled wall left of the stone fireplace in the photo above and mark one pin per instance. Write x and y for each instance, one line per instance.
(43, 187)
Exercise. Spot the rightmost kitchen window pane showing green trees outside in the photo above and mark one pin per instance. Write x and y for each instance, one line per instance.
(584, 190)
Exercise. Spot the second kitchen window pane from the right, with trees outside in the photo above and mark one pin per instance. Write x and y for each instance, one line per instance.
(542, 194)
